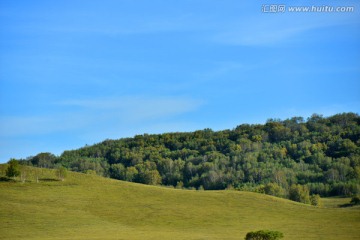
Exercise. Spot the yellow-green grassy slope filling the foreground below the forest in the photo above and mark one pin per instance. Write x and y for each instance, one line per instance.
(92, 207)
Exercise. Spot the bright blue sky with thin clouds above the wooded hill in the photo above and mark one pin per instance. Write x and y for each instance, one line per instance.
(79, 72)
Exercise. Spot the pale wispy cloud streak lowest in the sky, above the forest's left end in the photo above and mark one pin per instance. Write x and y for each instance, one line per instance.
(77, 115)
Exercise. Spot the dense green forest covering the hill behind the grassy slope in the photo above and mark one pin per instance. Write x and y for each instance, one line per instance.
(319, 156)
